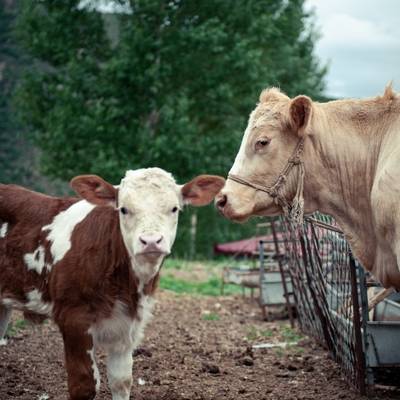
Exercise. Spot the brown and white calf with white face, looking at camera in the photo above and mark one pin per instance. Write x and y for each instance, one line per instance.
(92, 264)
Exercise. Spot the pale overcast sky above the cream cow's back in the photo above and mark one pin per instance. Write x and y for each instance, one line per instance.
(361, 41)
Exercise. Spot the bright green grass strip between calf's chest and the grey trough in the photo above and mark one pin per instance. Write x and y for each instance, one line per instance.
(211, 287)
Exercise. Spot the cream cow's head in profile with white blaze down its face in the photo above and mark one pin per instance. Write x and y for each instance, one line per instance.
(272, 133)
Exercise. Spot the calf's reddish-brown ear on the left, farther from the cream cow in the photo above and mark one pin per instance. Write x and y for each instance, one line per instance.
(95, 190)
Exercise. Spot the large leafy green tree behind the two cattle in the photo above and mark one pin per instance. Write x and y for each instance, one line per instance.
(172, 86)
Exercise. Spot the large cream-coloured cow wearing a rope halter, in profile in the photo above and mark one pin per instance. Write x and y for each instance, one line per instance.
(342, 158)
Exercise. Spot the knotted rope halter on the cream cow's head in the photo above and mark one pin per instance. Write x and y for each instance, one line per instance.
(293, 211)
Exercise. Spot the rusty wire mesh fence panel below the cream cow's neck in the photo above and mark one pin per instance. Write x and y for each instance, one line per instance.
(325, 286)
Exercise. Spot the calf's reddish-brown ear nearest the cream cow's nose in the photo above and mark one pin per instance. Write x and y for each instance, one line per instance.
(201, 190)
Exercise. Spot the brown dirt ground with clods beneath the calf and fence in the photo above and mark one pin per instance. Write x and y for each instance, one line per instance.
(196, 348)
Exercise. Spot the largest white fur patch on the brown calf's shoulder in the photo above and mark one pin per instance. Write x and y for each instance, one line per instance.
(60, 230)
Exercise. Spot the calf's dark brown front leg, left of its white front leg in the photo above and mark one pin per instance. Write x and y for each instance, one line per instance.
(83, 375)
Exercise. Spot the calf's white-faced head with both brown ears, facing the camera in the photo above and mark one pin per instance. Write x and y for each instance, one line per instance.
(148, 201)
